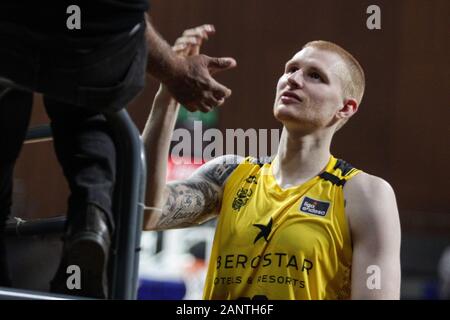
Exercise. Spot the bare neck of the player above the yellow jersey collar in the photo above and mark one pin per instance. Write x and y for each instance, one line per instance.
(300, 157)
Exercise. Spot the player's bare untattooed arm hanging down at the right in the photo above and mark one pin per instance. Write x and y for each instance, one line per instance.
(373, 217)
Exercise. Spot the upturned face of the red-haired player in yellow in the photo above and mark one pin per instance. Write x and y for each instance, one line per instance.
(309, 93)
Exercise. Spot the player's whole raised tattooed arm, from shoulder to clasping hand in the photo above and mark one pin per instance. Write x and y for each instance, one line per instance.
(182, 203)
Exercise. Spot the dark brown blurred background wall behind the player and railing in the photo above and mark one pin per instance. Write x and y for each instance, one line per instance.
(400, 133)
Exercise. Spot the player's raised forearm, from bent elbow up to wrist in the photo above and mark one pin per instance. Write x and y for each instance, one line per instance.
(157, 136)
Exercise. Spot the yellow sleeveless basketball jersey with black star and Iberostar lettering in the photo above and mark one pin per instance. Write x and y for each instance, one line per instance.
(281, 244)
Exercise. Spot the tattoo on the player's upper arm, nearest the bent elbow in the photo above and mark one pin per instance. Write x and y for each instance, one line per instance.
(188, 204)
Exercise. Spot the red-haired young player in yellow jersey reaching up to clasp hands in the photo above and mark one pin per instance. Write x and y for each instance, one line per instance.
(304, 226)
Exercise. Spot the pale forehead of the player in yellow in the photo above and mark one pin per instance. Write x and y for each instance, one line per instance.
(329, 62)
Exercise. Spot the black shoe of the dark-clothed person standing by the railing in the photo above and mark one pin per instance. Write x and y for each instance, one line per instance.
(86, 245)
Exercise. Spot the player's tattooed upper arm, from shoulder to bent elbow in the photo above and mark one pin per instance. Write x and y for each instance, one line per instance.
(196, 199)
